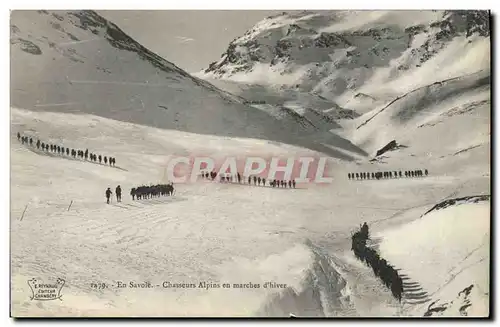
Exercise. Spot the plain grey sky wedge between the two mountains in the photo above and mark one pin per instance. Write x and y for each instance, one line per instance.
(191, 39)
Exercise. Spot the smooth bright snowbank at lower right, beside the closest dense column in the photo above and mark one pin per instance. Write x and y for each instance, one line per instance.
(455, 242)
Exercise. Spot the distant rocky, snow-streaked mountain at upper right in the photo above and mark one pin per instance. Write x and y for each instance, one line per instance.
(339, 54)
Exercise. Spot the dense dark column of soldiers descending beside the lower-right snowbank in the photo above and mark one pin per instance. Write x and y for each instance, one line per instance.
(381, 268)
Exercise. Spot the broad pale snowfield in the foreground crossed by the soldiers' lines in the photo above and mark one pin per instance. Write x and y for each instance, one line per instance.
(207, 232)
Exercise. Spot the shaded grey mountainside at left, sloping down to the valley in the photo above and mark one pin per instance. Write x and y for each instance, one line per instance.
(78, 62)
